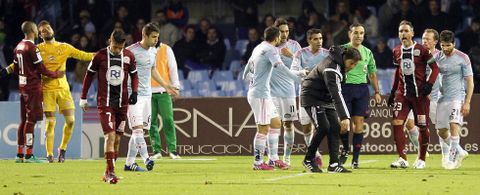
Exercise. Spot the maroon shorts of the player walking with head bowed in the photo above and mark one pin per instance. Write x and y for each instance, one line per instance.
(113, 119)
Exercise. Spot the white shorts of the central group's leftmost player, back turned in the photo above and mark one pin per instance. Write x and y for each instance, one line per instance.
(263, 110)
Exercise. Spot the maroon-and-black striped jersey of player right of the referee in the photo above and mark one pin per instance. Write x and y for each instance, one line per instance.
(411, 74)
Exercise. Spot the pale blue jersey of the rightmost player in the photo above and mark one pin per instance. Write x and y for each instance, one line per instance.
(454, 69)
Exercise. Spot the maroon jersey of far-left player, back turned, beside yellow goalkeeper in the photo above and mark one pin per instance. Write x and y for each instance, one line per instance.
(29, 67)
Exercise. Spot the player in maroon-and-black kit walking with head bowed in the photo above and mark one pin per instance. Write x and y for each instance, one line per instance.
(114, 65)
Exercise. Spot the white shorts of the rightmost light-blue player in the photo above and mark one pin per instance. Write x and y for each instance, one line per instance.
(449, 112)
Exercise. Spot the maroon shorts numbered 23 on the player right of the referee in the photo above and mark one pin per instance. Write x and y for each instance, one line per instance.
(419, 105)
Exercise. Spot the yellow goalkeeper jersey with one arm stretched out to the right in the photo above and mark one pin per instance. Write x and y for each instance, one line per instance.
(54, 57)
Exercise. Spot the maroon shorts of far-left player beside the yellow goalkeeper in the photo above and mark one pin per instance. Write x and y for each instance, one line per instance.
(31, 105)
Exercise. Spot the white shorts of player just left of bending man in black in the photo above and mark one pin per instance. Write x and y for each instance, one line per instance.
(286, 108)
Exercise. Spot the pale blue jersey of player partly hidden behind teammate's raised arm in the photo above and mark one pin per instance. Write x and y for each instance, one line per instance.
(280, 84)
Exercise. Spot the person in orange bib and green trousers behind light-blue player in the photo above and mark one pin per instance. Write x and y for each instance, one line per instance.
(162, 103)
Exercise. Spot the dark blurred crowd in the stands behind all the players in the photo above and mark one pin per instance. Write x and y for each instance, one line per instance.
(86, 24)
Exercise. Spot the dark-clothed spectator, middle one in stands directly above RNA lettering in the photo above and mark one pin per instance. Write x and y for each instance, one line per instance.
(212, 52)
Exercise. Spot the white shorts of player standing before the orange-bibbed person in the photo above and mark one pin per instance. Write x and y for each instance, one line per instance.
(140, 113)
